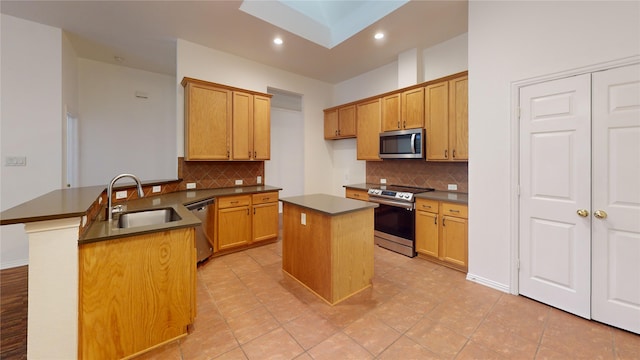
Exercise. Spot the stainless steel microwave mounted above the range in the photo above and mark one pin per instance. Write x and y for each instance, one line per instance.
(402, 144)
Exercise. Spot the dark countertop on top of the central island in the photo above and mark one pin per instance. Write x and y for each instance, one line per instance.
(329, 204)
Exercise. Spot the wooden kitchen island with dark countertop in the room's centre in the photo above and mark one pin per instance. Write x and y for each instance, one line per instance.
(327, 244)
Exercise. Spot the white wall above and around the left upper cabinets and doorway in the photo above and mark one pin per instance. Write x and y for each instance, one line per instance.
(203, 63)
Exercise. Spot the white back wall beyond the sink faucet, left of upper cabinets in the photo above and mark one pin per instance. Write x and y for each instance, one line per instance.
(121, 133)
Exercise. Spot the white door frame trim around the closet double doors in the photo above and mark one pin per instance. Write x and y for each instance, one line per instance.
(515, 150)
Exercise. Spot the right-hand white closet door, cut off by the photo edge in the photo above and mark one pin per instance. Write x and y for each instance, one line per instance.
(616, 191)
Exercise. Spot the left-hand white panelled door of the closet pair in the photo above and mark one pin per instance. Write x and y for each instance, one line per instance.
(555, 172)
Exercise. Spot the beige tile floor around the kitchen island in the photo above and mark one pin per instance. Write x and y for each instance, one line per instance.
(247, 309)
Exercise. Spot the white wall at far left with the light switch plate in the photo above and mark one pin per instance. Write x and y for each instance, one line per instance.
(30, 122)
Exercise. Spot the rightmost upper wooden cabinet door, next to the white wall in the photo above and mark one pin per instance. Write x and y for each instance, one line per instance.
(458, 119)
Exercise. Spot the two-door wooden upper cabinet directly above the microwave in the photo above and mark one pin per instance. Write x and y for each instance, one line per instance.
(403, 110)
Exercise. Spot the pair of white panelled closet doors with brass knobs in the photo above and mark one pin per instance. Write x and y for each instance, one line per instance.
(579, 228)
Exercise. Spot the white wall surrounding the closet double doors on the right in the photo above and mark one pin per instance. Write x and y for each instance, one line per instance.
(511, 41)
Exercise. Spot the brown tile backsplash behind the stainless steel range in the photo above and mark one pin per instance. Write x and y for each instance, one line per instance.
(419, 173)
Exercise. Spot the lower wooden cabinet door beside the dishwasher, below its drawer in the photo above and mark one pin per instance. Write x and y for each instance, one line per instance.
(234, 227)
